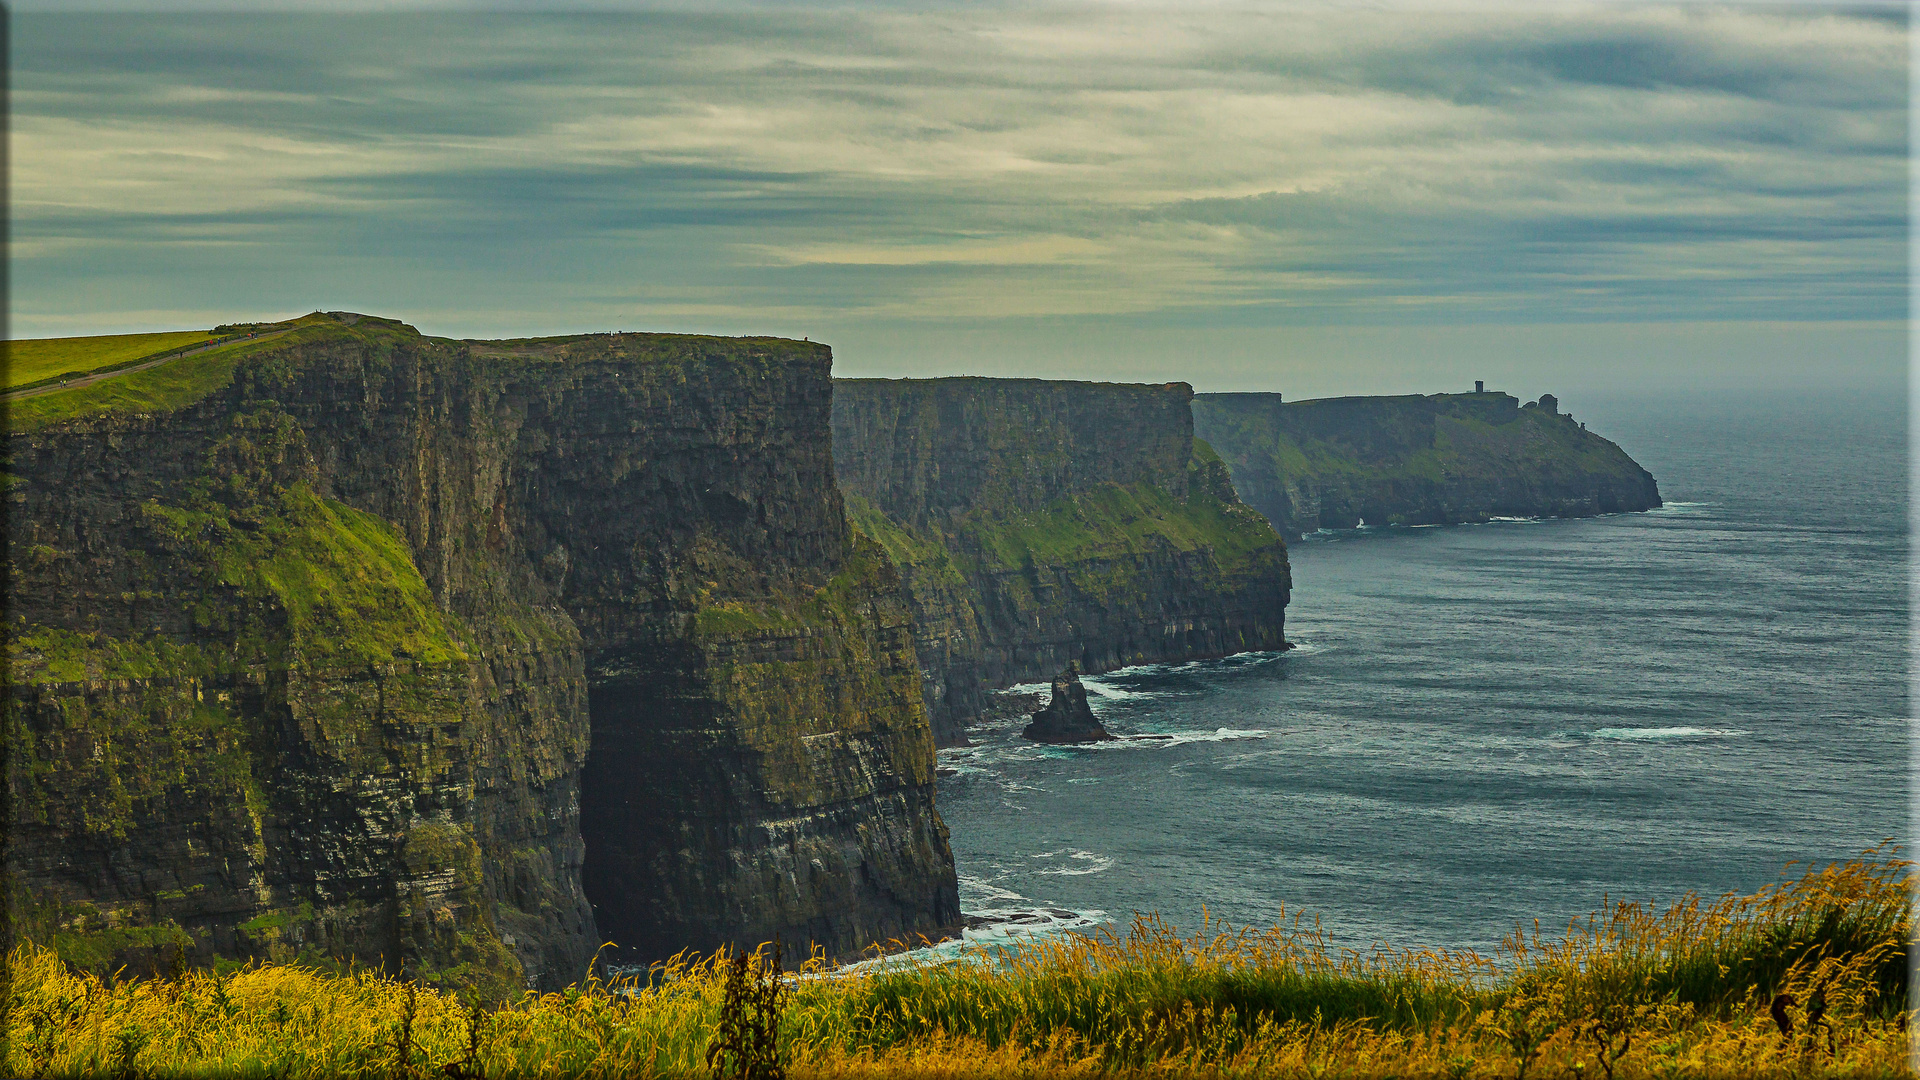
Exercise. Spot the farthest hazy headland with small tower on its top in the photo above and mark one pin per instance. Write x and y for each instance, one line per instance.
(1416, 460)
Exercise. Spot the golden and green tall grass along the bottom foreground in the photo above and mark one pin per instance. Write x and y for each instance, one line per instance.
(1633, 993)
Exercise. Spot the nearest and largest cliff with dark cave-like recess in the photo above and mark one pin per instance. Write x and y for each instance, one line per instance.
(314, 658)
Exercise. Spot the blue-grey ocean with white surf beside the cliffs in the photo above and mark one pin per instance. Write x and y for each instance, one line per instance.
(1485, 725)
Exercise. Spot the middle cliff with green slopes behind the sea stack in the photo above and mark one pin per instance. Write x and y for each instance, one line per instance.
(1047, 524)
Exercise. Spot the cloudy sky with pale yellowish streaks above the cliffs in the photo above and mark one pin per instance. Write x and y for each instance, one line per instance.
(1312, 199)
